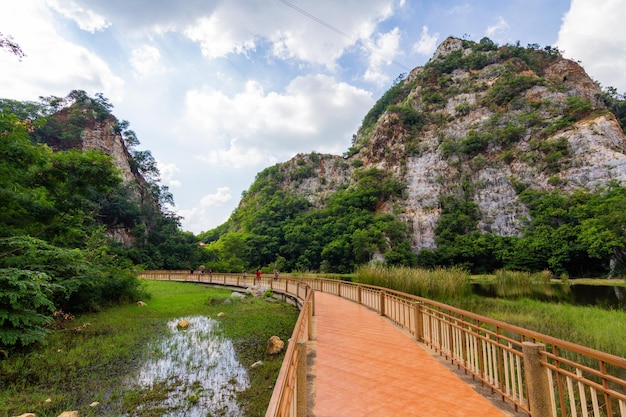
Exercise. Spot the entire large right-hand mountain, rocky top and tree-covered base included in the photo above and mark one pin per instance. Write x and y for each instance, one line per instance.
(487, 157)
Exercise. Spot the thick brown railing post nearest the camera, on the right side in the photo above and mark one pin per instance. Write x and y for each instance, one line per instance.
(537, 381)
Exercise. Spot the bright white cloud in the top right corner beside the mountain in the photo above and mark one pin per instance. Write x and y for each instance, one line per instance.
(591, 32)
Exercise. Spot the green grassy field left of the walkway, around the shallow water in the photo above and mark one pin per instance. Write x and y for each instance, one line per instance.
(89, 359)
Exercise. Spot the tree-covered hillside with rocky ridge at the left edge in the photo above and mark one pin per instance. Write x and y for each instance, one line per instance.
(74, 227)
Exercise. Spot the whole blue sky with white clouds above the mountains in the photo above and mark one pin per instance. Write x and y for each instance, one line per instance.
(218, 90)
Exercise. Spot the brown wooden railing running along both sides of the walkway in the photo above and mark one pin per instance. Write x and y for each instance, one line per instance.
(540, 375)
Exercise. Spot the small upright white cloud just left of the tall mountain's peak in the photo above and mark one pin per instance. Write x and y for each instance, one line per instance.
(382, 53)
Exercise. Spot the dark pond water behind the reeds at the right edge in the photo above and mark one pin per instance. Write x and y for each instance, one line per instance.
(609, 297)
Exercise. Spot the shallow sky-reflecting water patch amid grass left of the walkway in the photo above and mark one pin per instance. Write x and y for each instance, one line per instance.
(197, 367)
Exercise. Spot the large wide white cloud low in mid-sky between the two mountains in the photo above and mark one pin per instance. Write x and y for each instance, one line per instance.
(314, 112)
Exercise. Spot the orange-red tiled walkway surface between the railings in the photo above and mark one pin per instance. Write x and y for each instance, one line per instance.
(367, 367)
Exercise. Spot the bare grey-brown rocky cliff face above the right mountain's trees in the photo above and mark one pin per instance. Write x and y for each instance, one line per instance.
(480, 120)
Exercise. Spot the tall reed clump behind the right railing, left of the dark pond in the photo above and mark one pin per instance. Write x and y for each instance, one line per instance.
(438, 284)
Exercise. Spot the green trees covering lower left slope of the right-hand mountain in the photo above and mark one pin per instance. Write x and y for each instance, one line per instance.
(273, 225)
